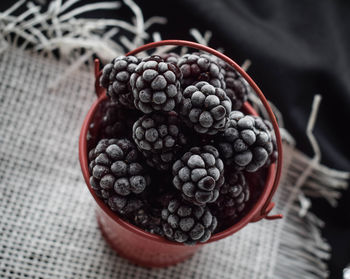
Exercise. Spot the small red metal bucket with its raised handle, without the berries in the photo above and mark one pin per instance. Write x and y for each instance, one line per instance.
(151, 250)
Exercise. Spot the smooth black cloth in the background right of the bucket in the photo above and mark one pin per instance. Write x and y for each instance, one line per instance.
(298, 49)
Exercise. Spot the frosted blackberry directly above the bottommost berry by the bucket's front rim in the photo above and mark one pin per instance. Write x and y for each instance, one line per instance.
(199, 174)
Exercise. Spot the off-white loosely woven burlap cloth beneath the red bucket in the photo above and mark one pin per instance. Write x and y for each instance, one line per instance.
(47, 225)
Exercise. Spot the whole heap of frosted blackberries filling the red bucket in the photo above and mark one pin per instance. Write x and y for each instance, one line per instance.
(172, 150)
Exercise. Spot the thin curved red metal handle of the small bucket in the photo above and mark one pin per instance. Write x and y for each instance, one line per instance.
(268, 206)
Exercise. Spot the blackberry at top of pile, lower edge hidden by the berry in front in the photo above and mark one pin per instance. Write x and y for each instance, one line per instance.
(200, 67)
